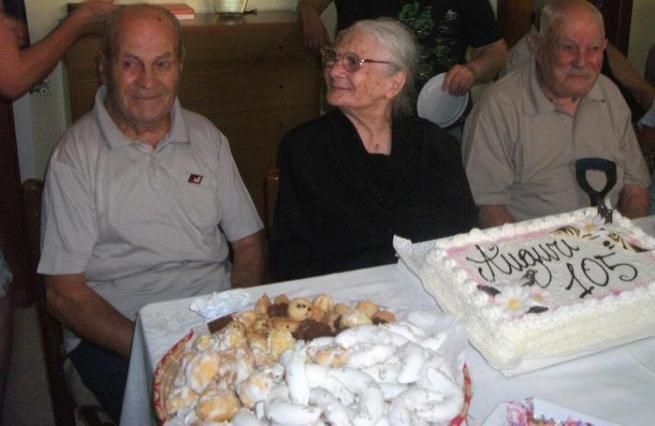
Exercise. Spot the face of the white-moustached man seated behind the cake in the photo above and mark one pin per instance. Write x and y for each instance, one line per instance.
(572, 57)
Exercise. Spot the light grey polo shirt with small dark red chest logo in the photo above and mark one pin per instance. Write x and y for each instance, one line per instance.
(143, 224)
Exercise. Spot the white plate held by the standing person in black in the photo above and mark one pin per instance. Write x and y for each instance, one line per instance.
(438, 105)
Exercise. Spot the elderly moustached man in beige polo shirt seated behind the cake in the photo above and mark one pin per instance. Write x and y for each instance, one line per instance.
(525, 134)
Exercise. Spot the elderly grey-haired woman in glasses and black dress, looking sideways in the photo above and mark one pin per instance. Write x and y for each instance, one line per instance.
(369, 169)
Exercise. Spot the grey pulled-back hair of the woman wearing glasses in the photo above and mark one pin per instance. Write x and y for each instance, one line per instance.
(399, 43)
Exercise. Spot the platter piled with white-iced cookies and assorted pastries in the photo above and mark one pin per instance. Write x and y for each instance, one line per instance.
(313, 361)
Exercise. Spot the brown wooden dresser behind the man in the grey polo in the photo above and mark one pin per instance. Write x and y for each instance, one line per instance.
(251, 77)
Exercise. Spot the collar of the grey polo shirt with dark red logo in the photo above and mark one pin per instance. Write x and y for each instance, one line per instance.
(115, 138)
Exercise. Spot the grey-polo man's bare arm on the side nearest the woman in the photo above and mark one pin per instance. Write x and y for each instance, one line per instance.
(248, 264)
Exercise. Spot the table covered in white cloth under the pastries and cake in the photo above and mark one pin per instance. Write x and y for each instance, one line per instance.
(617, 385)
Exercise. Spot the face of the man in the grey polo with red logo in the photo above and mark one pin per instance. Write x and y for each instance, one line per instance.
(143, 72)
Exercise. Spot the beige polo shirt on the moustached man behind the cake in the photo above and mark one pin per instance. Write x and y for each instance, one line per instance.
(520, 151)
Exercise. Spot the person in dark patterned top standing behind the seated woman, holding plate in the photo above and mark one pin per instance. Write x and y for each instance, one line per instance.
(444, 29)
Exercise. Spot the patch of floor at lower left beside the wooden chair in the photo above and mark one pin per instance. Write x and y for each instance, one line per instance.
(27, 402)
